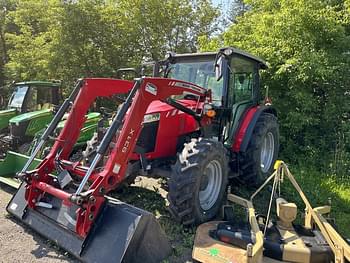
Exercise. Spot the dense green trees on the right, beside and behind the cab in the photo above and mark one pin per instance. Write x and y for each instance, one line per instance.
(307, 46)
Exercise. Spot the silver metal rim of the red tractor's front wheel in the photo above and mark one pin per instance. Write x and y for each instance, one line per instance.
(210, 185)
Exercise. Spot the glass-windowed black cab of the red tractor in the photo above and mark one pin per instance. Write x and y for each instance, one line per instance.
(232, 76)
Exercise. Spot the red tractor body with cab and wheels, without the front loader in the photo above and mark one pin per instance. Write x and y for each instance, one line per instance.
(242, 139)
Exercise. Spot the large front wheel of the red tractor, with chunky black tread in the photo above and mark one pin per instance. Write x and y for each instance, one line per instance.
(198, 181)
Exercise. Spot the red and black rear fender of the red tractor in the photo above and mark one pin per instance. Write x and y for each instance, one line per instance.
(248, 123)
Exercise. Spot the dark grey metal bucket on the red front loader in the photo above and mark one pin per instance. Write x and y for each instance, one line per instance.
(121, 233)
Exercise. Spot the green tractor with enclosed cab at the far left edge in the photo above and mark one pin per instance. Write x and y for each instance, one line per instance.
(29, 110)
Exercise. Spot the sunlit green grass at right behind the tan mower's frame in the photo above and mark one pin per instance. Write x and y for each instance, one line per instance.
(320, 189)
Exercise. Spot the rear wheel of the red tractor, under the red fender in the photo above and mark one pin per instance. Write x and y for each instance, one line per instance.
(256, 164)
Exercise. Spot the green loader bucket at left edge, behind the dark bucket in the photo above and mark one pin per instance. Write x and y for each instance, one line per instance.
(12, 164)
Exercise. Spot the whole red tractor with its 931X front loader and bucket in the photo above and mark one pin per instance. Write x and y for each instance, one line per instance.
(198, 125)
